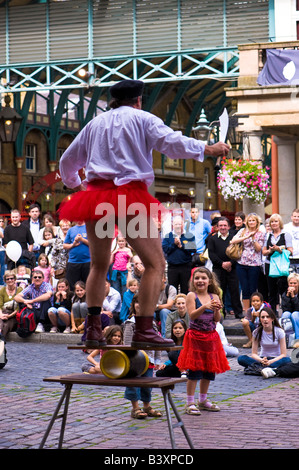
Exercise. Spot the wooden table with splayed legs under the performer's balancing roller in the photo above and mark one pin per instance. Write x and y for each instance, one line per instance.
(166, 384)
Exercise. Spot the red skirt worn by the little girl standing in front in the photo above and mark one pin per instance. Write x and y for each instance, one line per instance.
(203, 350)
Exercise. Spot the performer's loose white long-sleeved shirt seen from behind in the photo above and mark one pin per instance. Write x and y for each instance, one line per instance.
(117, 145)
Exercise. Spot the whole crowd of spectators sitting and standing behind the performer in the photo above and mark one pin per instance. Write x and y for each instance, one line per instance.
(55, 262)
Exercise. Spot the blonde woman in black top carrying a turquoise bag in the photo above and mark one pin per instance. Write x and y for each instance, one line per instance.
(275, 242)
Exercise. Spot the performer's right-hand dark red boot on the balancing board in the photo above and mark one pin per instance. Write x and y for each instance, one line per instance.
(145, 335)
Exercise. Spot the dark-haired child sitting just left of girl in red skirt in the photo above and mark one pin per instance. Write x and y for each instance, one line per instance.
(169, 369)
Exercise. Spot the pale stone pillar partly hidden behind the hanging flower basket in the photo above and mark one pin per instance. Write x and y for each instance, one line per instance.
(253, 151)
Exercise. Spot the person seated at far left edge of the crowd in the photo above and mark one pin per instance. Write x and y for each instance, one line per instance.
(8, 307)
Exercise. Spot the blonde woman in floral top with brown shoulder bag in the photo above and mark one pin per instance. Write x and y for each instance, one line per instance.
(250, 262)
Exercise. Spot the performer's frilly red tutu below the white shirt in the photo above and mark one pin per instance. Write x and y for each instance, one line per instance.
(102, 196)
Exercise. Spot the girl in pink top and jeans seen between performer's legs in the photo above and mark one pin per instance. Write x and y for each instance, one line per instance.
(120, 257)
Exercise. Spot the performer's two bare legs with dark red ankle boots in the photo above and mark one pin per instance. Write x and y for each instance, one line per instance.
(151, 254)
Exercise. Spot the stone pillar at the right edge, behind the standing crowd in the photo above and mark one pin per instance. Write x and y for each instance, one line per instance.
(286, 149)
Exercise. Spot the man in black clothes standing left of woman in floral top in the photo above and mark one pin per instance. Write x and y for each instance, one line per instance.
(223, 267)
